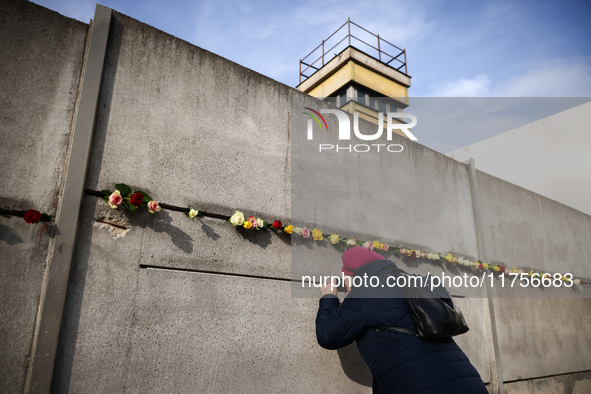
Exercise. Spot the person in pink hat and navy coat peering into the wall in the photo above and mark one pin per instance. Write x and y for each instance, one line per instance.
(399, 362)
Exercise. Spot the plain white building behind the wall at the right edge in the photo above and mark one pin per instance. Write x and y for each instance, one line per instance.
(551, 157)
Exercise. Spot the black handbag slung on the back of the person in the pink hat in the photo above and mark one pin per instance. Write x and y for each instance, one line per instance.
(433, 312)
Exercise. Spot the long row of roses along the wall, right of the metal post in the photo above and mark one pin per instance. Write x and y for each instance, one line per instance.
(123, 196)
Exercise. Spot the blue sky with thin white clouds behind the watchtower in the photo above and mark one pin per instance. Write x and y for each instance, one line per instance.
(455, 48)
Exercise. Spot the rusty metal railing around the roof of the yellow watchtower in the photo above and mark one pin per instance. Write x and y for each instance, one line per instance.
(310, 63)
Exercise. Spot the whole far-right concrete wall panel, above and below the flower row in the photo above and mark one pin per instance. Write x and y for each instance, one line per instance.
(538, 336)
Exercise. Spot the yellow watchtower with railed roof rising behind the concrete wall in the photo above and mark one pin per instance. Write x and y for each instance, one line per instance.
(368, 75)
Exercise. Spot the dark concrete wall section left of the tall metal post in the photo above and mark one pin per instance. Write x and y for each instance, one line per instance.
(41, 56)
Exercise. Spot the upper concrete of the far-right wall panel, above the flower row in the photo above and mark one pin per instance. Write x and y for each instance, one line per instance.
(524, 229)
